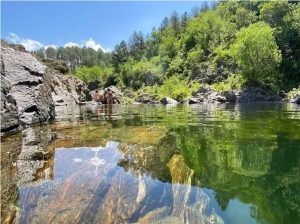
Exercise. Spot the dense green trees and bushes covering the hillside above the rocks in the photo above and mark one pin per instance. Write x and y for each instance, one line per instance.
(226, 45)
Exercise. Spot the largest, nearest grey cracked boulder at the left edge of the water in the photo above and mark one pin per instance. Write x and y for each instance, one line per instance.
(25, 90)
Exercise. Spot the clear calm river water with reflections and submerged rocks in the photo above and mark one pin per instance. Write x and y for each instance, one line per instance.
(156, 164)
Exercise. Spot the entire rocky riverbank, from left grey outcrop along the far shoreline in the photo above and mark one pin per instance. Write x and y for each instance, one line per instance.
(30, 91)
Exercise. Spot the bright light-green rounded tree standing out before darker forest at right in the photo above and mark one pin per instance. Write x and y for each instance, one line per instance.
(256, 53)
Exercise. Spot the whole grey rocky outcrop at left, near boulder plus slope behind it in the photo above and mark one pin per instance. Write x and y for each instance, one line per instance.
(30, 90)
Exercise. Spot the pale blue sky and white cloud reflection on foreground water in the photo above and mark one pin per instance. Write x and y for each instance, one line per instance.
(93, 165)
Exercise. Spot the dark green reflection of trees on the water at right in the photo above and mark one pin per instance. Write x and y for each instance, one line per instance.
(259, 171)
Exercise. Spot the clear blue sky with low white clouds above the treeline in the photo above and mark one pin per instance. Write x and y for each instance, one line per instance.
(95, 24)
